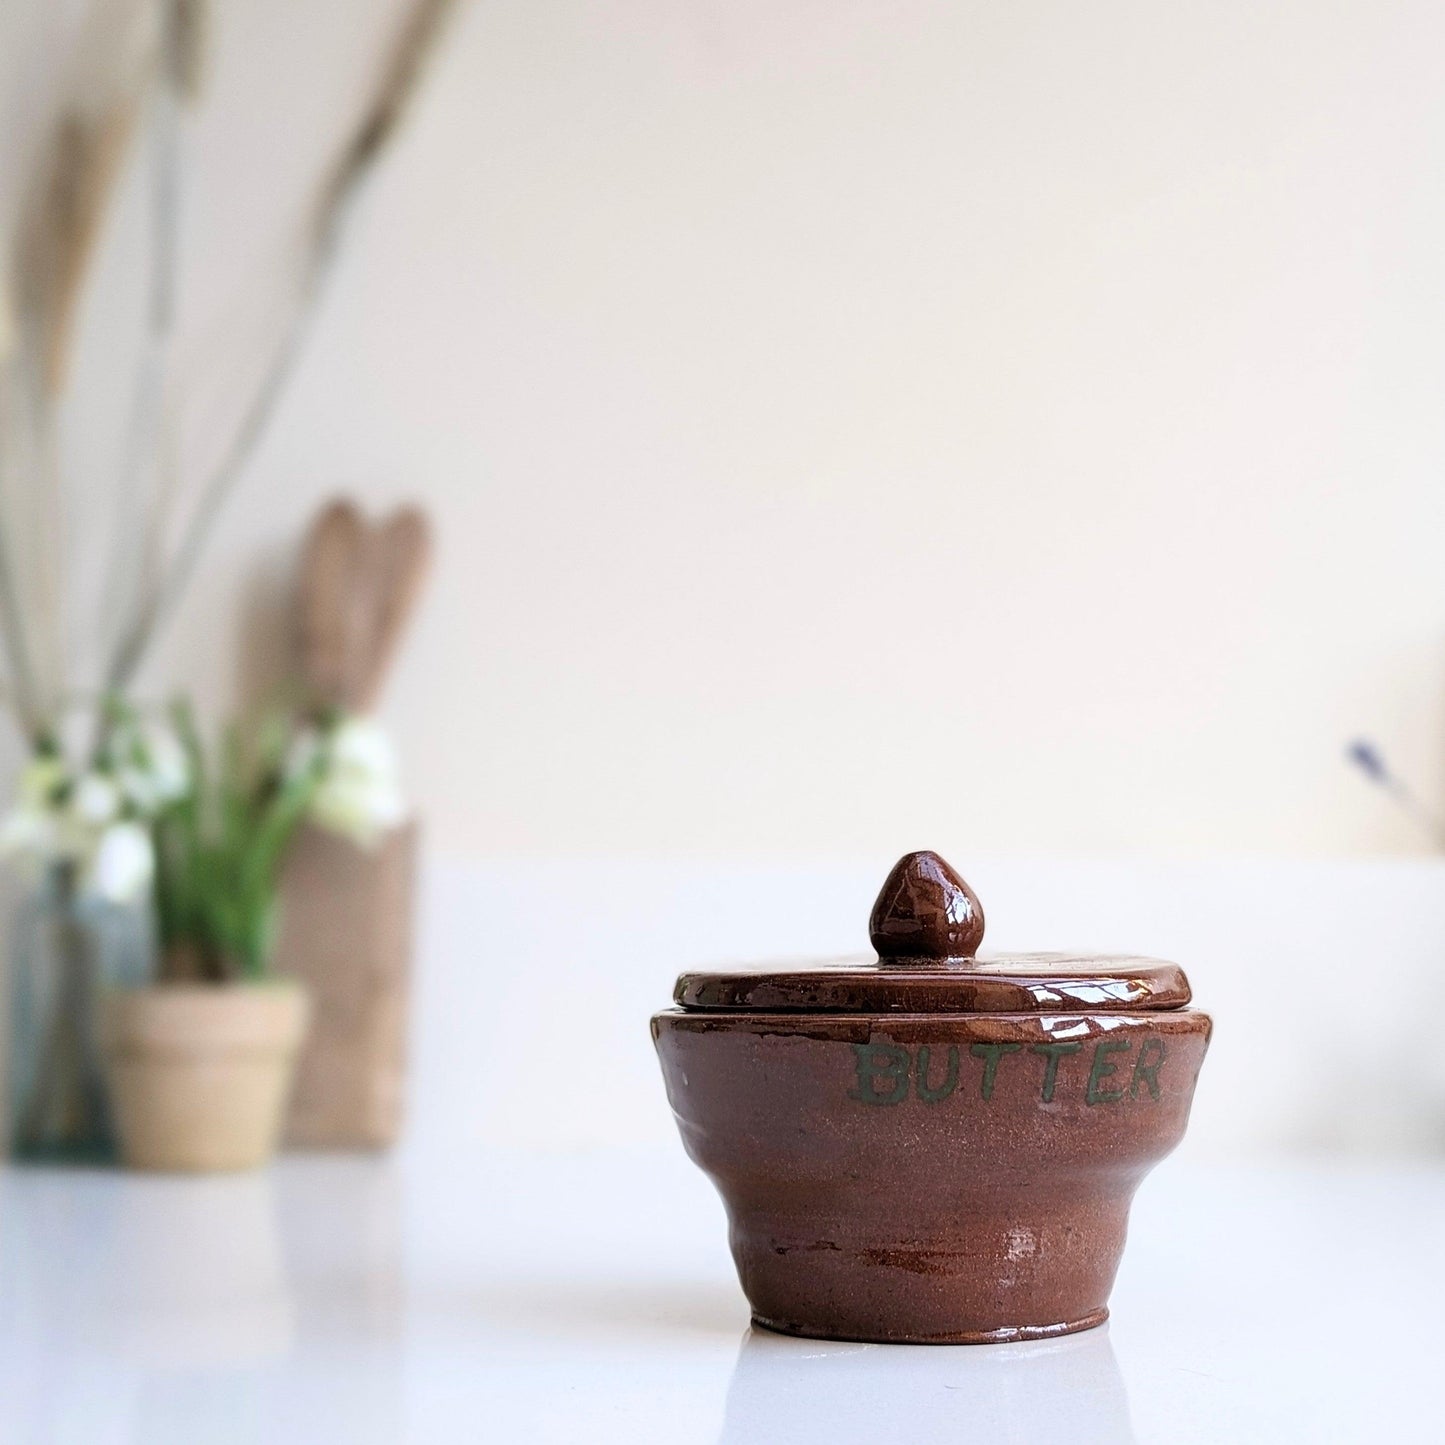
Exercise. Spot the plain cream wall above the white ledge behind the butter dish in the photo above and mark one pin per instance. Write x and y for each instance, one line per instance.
(858, 424)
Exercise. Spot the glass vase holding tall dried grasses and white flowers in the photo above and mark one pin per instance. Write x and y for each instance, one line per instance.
(128, 87)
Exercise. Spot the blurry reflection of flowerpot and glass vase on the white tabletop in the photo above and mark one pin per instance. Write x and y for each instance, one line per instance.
(152, 1308)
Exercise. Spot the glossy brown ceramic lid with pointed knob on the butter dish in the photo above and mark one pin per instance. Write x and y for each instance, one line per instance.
(927, 927)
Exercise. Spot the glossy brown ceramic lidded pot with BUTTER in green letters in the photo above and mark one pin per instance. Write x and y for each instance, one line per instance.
(931, 1147)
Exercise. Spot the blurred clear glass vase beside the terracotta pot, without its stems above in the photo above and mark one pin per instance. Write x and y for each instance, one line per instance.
(69, 949)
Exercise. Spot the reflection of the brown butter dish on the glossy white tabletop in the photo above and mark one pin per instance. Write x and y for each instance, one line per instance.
(791, 1389)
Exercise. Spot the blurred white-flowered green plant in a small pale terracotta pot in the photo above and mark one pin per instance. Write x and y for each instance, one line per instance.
(202, 1063)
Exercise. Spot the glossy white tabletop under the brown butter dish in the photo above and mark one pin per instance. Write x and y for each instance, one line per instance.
(586, 1300)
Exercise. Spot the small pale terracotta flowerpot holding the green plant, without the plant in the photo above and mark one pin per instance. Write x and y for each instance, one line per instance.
(202, 1073)
